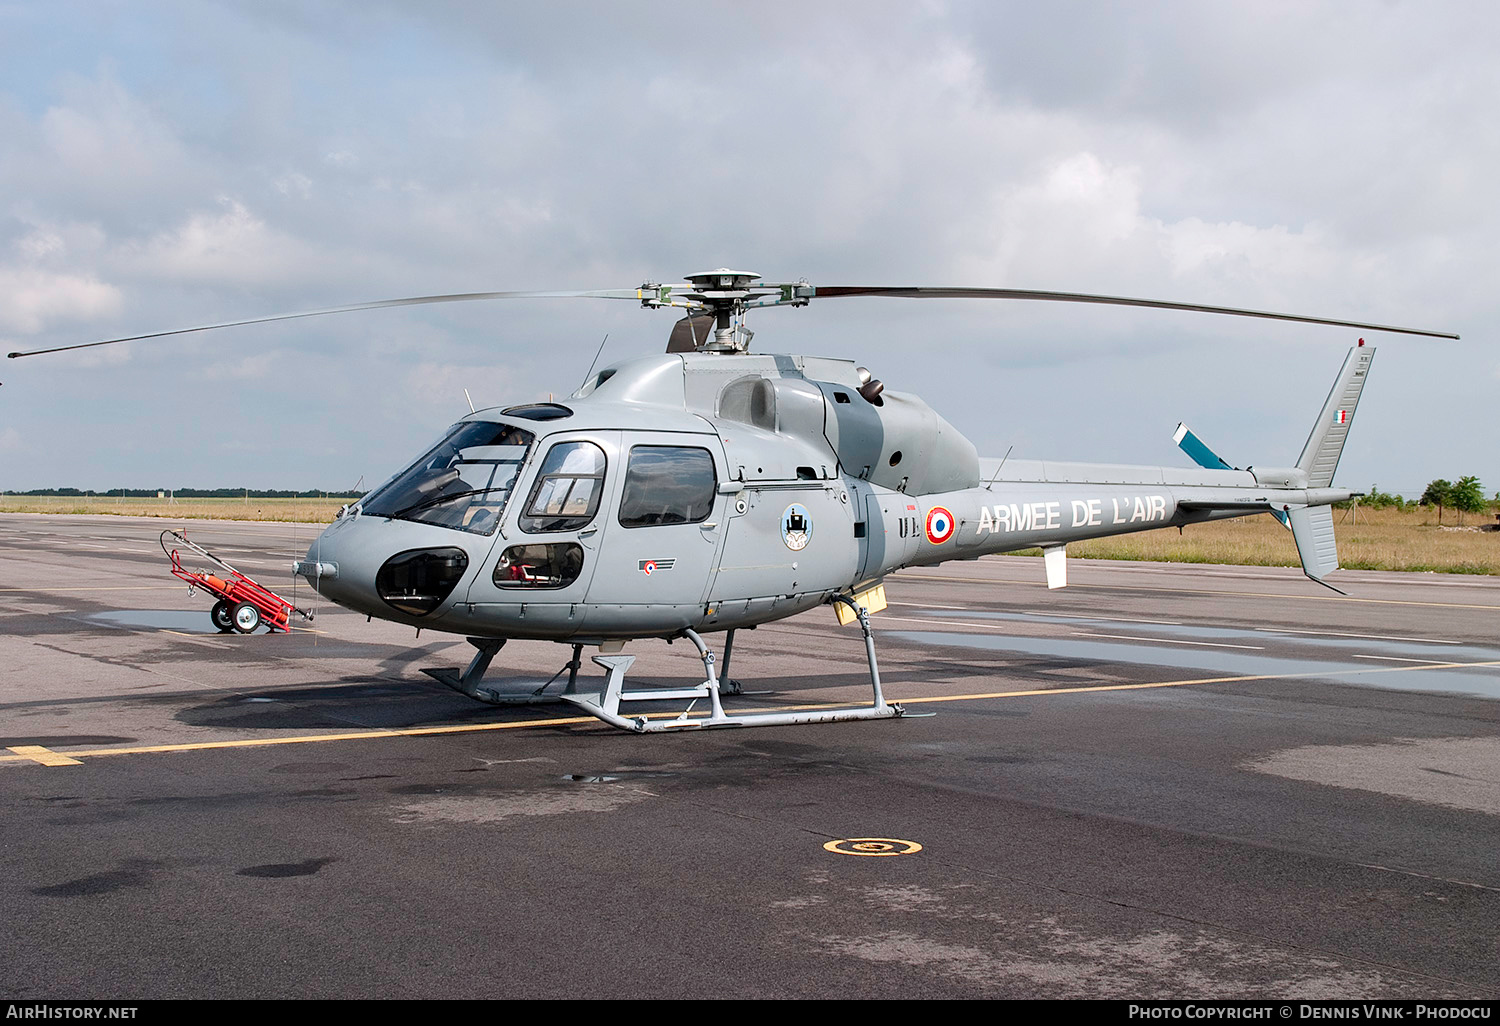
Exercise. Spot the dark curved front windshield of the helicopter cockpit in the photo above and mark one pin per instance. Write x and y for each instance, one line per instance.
(461, 484)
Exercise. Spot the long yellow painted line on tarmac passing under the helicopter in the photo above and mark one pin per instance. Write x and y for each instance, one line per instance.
(37, 754)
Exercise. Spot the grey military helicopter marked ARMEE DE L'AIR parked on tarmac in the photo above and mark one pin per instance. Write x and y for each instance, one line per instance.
(715, 490)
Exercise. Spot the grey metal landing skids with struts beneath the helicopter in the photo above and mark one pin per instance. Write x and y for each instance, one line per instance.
(607, 701)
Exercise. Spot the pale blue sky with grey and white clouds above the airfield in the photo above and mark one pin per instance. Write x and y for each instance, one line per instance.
(175, 164)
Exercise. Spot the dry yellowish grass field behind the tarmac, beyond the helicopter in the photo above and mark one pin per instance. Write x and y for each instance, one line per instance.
(1369, 541)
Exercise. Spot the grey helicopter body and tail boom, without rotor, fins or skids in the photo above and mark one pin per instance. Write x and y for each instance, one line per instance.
(701, 491)
